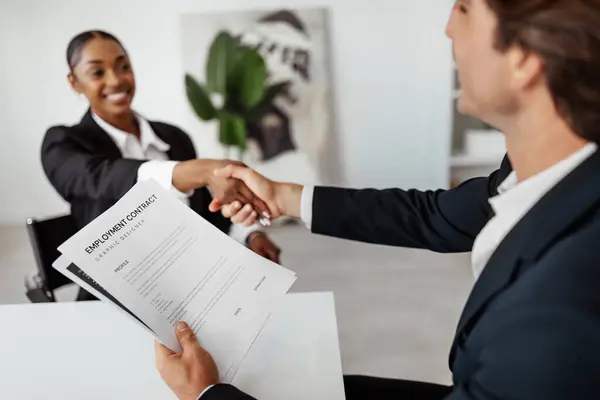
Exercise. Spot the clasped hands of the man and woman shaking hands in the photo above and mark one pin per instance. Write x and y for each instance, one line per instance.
(246, 197)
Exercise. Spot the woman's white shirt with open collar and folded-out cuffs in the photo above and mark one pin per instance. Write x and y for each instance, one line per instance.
(150, 147)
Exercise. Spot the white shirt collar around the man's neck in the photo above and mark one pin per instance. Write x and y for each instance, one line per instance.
(518, 197)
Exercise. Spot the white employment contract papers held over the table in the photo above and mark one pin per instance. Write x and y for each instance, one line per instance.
(160, 262)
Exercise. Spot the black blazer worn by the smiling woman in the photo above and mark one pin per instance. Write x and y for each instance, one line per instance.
(87, 169)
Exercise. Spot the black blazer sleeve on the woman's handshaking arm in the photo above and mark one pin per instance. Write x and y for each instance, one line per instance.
(77, 173)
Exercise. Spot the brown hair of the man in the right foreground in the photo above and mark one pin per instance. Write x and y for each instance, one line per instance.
(566, 35)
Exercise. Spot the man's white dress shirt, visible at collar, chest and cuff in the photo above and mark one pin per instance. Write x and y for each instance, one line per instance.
(513, 201)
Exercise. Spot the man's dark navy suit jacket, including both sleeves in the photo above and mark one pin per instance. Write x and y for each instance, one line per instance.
(531, 326)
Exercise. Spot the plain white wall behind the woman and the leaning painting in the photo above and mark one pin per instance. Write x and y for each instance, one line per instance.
(391, 77)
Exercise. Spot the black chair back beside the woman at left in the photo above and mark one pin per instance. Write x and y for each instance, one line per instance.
(45, 236)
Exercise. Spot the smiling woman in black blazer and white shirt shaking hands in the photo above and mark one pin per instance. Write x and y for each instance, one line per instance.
(94, 163)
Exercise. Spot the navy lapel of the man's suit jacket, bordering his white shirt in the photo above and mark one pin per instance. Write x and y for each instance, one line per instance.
(566, 204)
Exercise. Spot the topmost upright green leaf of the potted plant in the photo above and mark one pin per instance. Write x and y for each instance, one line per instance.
(221, 60)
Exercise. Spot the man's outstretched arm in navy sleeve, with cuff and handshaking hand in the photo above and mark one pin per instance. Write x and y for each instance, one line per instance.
(442, 221)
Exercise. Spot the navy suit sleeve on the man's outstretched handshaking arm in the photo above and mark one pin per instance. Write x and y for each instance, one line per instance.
(442, 221)
